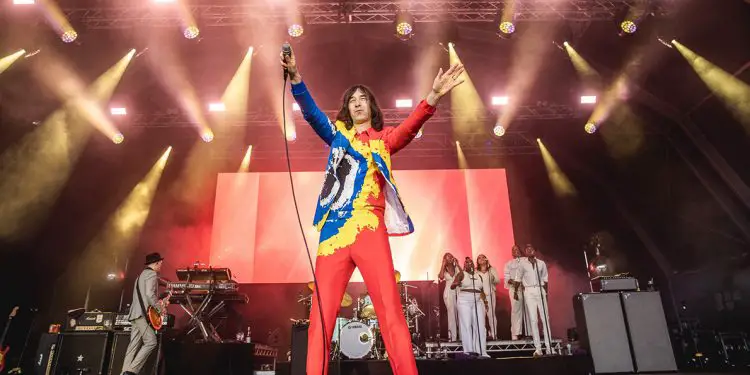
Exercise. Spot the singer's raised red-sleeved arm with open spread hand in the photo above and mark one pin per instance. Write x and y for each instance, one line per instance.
(400, 136)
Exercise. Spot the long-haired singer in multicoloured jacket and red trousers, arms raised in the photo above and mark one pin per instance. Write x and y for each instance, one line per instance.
(359, 207)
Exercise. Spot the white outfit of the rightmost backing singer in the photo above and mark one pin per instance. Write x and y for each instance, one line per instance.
(533, 278)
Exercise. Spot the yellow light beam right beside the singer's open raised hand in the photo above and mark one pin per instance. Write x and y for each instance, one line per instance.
(466, 102)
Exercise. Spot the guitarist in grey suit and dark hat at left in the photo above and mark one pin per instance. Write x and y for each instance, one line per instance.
(143, 336)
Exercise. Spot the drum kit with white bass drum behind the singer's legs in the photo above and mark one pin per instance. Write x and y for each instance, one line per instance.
(359, 337)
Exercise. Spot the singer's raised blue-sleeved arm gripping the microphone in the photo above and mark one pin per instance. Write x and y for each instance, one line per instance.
(310, 111)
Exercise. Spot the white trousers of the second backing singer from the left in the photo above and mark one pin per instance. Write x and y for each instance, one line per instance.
(470, 314)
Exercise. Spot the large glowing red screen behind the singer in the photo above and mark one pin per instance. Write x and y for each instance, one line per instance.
(256, 234)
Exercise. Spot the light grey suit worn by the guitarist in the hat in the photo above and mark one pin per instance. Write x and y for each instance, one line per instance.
(142, 336)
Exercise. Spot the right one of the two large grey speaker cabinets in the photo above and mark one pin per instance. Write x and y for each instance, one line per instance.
(649, 334)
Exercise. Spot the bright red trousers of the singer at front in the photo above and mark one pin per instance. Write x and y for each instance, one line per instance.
(371, 252)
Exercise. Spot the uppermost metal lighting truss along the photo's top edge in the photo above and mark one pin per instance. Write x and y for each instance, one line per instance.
(327, 12)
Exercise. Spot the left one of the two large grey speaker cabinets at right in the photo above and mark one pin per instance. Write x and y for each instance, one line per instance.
(601, 327)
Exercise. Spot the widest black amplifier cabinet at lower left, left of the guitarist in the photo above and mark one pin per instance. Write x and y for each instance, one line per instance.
(82, 353)
